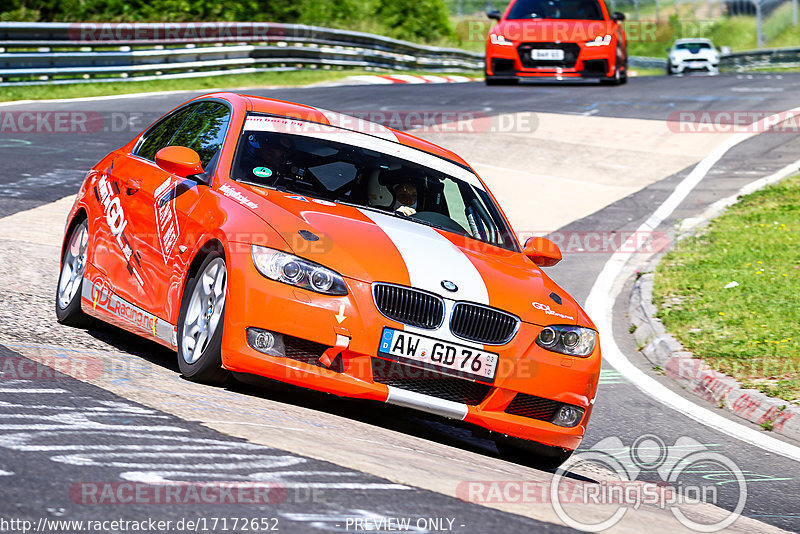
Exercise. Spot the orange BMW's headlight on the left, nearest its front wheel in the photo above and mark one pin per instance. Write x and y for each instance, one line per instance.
(295, 271)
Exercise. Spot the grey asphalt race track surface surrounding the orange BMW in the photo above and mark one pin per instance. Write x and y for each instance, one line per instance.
(63, 438)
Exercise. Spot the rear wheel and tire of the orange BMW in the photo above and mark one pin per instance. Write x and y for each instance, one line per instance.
(70, 280)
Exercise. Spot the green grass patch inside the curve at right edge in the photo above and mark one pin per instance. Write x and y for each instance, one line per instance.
(751, 331)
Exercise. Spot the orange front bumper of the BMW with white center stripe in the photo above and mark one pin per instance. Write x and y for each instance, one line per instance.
(308, 322)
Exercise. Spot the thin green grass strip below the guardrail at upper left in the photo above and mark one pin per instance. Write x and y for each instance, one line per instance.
(264, 79)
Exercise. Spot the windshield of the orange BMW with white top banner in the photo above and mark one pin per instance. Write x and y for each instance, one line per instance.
(369, 172)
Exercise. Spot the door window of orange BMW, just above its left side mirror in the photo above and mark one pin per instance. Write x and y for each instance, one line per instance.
(204, 130)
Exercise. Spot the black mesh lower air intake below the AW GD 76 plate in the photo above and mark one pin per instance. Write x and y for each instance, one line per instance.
(428, 382)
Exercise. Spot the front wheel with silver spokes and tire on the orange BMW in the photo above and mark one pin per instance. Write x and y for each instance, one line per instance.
(200, 323)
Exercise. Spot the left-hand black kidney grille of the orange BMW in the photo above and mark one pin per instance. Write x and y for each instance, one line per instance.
(409, 306)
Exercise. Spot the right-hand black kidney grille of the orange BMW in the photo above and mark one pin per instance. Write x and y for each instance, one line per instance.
(482, 324)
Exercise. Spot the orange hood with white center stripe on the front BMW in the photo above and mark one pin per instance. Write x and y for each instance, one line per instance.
(373, 246)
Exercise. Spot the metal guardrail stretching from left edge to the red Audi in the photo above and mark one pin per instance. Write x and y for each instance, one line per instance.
(35, 53)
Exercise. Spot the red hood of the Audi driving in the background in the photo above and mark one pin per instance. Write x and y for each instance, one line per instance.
(555, 30)
